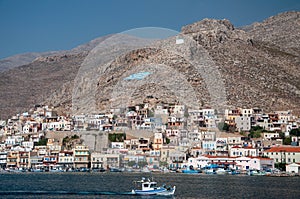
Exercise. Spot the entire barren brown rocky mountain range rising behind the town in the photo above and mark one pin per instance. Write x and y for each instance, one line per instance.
(210, 63)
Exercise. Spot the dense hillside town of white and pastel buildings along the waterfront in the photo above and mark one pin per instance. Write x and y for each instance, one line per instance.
(145, 137)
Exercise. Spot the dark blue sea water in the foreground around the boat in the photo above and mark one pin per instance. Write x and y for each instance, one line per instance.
(117, 185)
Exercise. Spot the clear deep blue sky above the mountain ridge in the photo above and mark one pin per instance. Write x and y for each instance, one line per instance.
(45, 25)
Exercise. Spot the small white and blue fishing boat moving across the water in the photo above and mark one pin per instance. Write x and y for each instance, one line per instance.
(149, 187)
